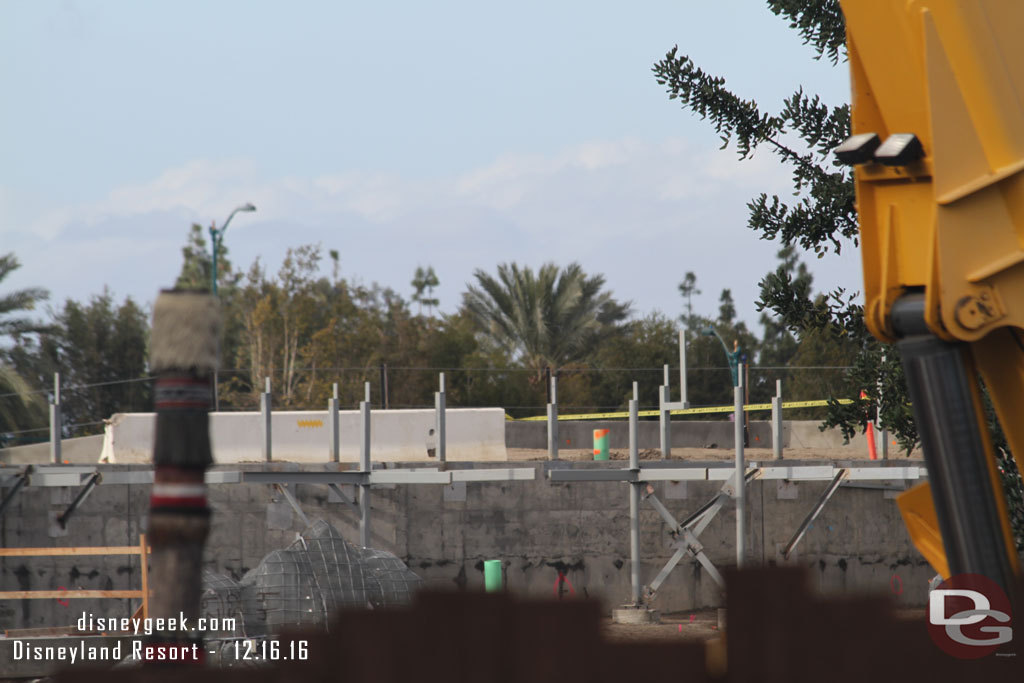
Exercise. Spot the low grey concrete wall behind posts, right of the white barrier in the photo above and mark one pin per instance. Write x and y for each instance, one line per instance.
(686, 435)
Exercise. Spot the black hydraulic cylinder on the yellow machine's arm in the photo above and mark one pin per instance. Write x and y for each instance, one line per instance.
(944, 403)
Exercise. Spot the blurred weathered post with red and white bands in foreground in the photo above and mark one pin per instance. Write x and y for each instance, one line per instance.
(184, 356)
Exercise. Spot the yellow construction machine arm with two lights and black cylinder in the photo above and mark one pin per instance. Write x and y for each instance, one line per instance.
(938, 151)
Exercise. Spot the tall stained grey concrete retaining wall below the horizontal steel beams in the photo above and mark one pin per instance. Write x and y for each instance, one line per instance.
(445, 534)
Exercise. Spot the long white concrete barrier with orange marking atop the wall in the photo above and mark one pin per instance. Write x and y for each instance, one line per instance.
(305, 437)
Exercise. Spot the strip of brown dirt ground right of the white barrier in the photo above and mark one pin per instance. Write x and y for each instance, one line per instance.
(752, 455)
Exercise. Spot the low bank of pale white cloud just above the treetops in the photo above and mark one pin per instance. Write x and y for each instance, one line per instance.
(643, 214)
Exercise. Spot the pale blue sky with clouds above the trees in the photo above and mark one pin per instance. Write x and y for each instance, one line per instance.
(456, 135)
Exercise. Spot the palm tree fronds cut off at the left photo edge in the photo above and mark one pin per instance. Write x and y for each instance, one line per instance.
(16, 399)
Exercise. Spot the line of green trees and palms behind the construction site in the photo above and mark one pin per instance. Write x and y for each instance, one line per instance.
(309, 331)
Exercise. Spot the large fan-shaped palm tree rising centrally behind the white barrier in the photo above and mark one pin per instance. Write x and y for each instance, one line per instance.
(547, 320)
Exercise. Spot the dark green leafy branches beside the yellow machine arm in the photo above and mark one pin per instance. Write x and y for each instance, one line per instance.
(823, 216)
